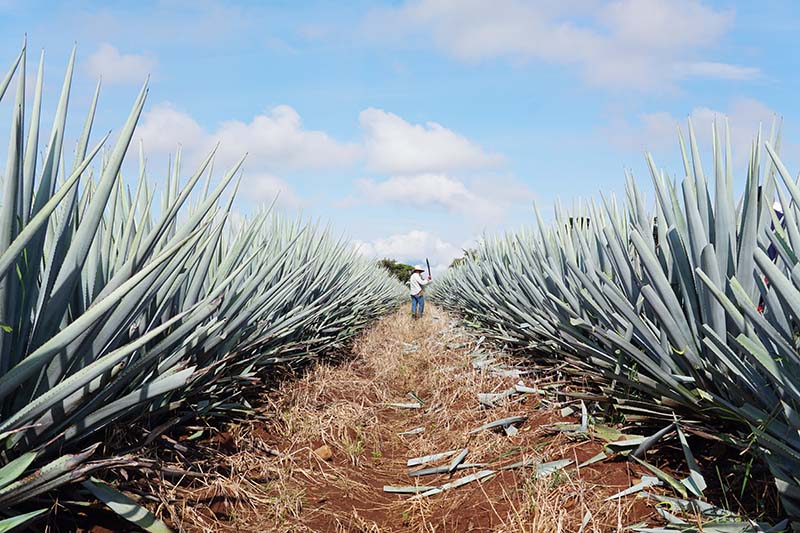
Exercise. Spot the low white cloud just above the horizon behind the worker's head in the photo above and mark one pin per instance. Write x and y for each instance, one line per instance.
(411, 247)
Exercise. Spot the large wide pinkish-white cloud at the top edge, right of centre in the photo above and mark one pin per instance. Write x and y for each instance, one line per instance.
(622, 43)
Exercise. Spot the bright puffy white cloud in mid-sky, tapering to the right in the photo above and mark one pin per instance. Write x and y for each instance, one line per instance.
(395, 146)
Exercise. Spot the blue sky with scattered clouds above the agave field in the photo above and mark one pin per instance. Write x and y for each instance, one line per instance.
(416, 127)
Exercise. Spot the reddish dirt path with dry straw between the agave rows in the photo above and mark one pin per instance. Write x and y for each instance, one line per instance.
(276, 475)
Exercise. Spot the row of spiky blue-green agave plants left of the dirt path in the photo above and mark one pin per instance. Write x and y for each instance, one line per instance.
(115, 310)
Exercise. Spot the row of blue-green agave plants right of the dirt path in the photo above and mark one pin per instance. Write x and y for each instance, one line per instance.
(689, 304)
